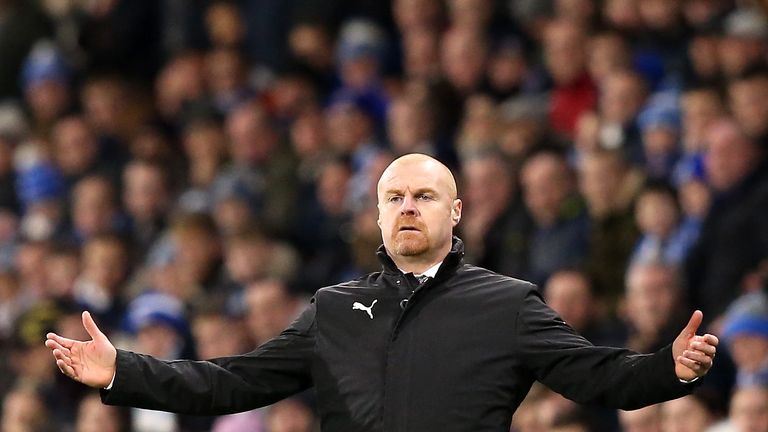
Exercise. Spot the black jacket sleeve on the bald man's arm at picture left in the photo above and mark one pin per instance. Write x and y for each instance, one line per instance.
(275, 370)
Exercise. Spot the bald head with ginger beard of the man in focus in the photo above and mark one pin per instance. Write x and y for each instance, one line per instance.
(418, 209)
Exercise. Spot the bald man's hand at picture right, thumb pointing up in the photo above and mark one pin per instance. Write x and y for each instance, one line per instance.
(693, 354)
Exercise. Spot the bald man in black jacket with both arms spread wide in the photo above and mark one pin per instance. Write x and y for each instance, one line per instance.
(427, 344)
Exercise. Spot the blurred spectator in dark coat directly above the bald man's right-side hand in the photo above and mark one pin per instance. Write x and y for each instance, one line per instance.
(717, 264)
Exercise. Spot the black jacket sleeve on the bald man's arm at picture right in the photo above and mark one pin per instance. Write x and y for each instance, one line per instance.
(570, 365)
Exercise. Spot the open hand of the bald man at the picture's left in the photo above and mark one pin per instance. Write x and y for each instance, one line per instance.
(91, 362)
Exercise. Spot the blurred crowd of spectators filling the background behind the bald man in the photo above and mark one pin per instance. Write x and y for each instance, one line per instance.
(191, 171)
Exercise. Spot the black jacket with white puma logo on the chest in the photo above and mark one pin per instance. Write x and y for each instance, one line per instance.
(458, 354)
